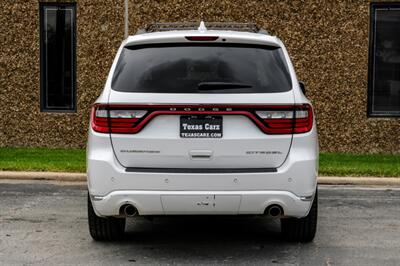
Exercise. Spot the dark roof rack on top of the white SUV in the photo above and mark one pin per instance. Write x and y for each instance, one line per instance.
(234, 26)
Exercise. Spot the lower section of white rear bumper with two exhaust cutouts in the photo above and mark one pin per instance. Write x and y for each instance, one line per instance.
(201, 202)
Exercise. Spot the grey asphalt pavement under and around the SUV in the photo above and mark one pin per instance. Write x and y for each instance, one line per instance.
(44, 223)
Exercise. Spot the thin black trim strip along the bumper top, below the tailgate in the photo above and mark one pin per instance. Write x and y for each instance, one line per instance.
(200, 170)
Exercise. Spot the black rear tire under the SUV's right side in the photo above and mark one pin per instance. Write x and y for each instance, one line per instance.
(301, 229)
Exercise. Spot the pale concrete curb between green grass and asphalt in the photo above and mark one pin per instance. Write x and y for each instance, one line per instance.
(81, 177)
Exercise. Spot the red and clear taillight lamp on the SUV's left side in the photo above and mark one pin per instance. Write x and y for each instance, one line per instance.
(109, 119)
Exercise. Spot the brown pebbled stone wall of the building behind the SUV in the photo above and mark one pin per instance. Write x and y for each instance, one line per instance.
(327, 41)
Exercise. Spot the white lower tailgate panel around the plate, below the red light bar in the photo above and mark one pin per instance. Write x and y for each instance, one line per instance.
(240, 136)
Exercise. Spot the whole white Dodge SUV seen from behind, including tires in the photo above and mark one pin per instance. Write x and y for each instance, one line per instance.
(207, 120)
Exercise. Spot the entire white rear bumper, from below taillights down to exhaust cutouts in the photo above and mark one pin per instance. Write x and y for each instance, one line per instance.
(161, 193)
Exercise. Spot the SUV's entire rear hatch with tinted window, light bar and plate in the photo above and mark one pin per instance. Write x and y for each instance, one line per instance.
(196, 105)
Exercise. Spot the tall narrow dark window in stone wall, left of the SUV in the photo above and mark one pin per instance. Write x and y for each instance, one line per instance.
(57, 57)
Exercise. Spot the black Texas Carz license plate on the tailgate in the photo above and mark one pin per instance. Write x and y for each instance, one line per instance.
(201, 127)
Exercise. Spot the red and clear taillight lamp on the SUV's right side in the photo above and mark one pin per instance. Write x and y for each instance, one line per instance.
(287, 119)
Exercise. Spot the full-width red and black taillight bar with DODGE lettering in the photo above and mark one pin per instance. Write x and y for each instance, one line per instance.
(271, 119)
